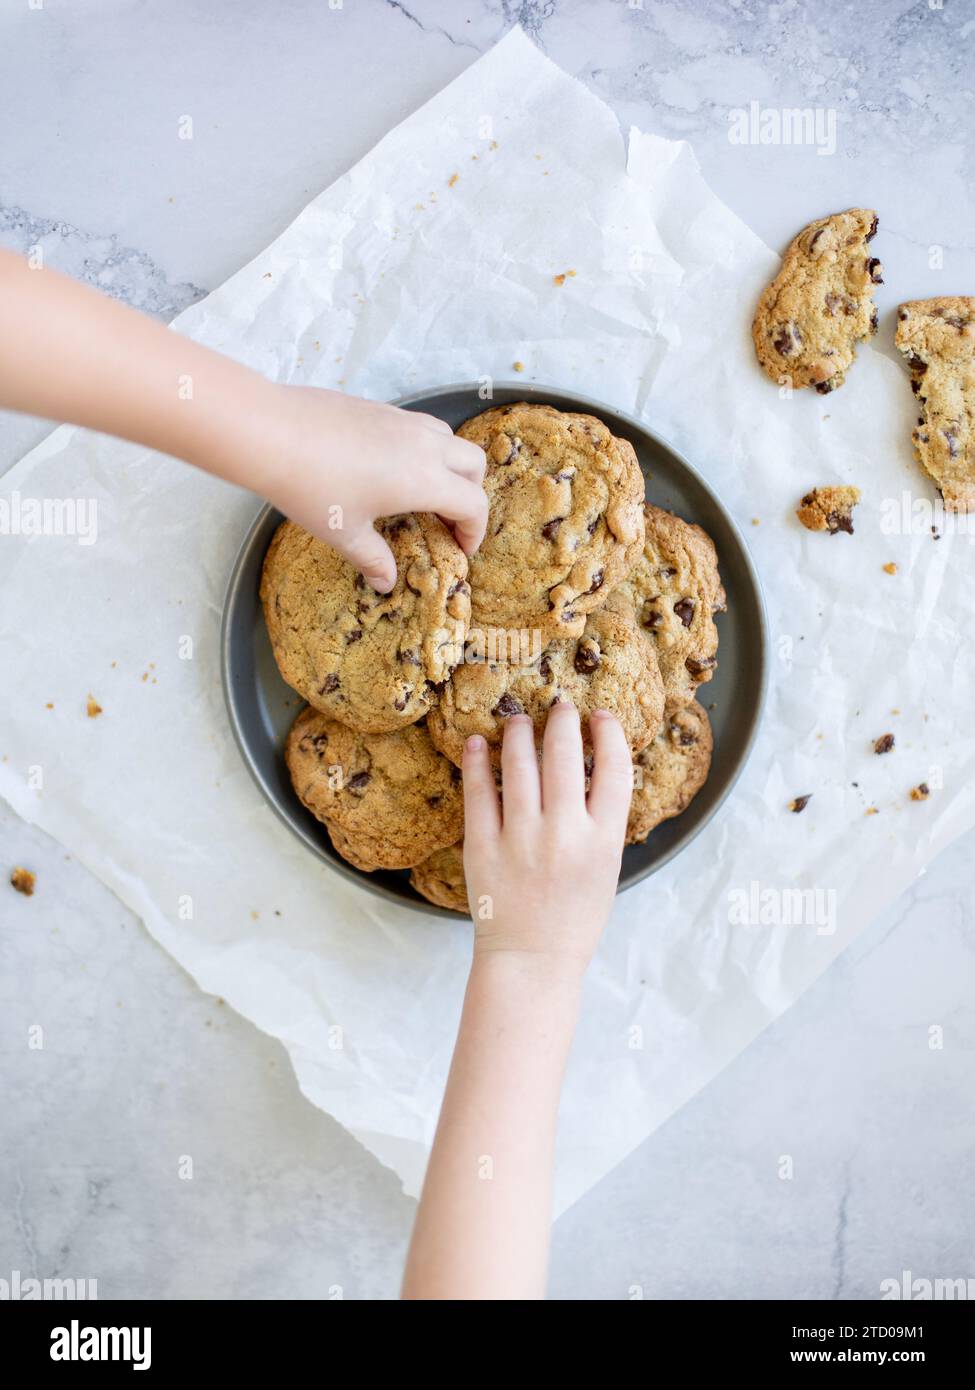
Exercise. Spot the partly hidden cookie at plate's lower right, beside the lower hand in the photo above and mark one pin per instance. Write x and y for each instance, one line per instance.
(671, 771)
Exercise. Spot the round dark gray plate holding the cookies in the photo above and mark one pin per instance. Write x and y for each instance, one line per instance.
(262, 708)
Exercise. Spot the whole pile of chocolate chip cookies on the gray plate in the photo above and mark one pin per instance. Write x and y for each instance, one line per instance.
(581, 591)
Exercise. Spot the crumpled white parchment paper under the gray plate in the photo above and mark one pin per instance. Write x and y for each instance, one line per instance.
(430, 262)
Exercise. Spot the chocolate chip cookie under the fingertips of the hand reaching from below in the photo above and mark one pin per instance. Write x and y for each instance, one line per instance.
(611, 667)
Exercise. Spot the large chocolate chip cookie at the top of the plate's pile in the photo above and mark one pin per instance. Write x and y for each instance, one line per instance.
(565, 523)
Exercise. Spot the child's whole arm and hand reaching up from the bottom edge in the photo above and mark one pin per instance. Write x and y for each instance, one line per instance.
(546, 871)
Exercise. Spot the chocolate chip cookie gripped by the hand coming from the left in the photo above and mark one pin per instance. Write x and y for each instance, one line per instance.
(372, 661)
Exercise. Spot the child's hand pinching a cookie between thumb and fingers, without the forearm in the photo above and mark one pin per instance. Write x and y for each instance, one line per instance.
(340, 458)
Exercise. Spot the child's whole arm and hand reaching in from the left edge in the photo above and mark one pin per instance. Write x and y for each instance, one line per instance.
(70, 354)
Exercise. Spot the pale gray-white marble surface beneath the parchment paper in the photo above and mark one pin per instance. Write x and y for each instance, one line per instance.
(138, 1067)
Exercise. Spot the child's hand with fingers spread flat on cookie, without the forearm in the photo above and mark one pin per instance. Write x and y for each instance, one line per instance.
(542, 874)
